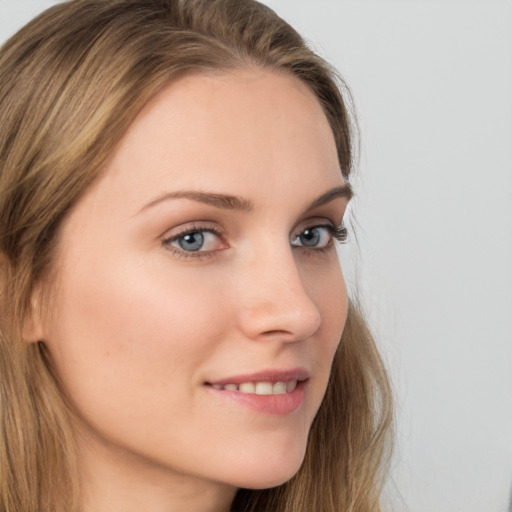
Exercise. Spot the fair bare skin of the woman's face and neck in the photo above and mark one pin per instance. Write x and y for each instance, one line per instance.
(139, 324)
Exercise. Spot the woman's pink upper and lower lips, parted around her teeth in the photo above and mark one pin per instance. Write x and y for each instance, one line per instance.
(273, 405)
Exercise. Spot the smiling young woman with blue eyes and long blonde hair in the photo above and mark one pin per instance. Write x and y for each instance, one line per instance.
(173, 178)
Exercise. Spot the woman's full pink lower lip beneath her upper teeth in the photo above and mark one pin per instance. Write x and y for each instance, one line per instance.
(276, 405)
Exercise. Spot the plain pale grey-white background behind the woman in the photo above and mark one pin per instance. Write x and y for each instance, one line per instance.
(432, 82)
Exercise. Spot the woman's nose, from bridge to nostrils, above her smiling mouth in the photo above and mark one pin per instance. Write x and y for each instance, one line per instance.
(275, 304)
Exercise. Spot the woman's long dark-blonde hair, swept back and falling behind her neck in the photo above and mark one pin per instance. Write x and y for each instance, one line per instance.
(71, 83)
